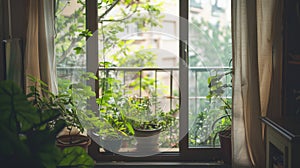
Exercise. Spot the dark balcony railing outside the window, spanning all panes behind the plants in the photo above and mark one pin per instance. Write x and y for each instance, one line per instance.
(163, 82)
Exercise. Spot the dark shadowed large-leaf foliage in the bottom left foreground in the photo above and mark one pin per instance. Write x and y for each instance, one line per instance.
(28, 138)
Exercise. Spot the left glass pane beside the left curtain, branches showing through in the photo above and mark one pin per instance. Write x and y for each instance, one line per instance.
(69, 22)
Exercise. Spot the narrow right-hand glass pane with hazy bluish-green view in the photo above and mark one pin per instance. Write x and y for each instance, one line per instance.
(209, 70)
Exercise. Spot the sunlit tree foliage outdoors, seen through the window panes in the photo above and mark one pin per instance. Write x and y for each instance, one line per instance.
(114, 17)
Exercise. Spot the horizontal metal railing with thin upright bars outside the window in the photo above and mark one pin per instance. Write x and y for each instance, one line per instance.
(197, 79)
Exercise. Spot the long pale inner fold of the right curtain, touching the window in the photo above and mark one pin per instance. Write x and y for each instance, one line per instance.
(246, 103)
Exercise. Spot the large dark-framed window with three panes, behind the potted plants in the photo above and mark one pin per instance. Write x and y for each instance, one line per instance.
(167, 50)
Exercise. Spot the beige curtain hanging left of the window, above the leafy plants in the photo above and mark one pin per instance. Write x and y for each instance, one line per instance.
(39, 52)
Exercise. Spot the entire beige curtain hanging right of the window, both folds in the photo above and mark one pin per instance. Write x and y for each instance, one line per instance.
(257, 67)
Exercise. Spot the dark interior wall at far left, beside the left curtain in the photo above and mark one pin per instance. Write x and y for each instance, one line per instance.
(19, 26)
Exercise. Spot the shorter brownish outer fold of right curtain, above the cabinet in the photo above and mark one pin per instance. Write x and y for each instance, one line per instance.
(270, 55)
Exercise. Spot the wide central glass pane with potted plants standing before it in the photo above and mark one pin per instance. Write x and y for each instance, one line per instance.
(138, 72)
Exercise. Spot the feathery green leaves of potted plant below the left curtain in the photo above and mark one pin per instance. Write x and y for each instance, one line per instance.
(70, 102)
